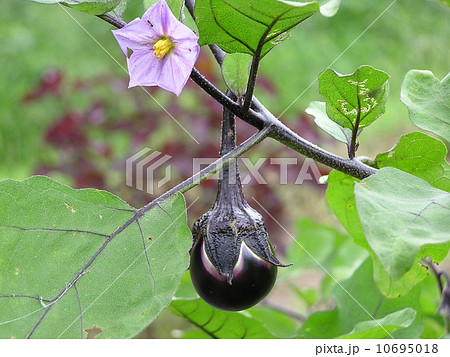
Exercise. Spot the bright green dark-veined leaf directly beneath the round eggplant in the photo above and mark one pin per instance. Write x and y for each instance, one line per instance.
(218, 323)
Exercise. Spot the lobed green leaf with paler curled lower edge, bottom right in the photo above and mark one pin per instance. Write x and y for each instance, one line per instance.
(358, 303)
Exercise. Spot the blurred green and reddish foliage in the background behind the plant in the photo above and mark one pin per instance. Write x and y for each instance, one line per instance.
(66, 112)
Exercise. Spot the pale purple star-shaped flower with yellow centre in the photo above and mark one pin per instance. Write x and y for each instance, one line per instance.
(164, 50)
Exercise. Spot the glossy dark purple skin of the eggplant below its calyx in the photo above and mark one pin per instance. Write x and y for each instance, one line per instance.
(253, 279)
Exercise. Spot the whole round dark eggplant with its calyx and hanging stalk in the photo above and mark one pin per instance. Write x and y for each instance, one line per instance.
(233, 265)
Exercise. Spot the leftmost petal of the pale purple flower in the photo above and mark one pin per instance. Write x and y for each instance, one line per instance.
(136, 35)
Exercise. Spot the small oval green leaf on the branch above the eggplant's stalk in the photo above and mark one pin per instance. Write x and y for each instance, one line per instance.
(235, 71)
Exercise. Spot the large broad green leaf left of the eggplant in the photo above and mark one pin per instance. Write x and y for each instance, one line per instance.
(49, 232)
